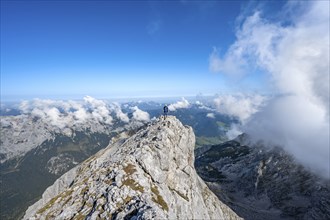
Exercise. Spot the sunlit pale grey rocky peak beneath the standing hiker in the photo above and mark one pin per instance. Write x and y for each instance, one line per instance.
(149, 175)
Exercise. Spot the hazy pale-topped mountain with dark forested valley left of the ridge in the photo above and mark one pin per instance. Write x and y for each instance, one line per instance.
(33, 154)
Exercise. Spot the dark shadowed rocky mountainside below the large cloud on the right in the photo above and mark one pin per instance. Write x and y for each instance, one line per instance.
(263, 183)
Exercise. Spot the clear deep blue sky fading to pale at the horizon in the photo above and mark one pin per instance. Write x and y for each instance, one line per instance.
(109, 49)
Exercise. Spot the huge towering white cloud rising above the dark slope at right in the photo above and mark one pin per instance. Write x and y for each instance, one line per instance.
(295, 56)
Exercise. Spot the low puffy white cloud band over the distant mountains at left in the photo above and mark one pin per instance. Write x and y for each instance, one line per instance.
(62, 114)
